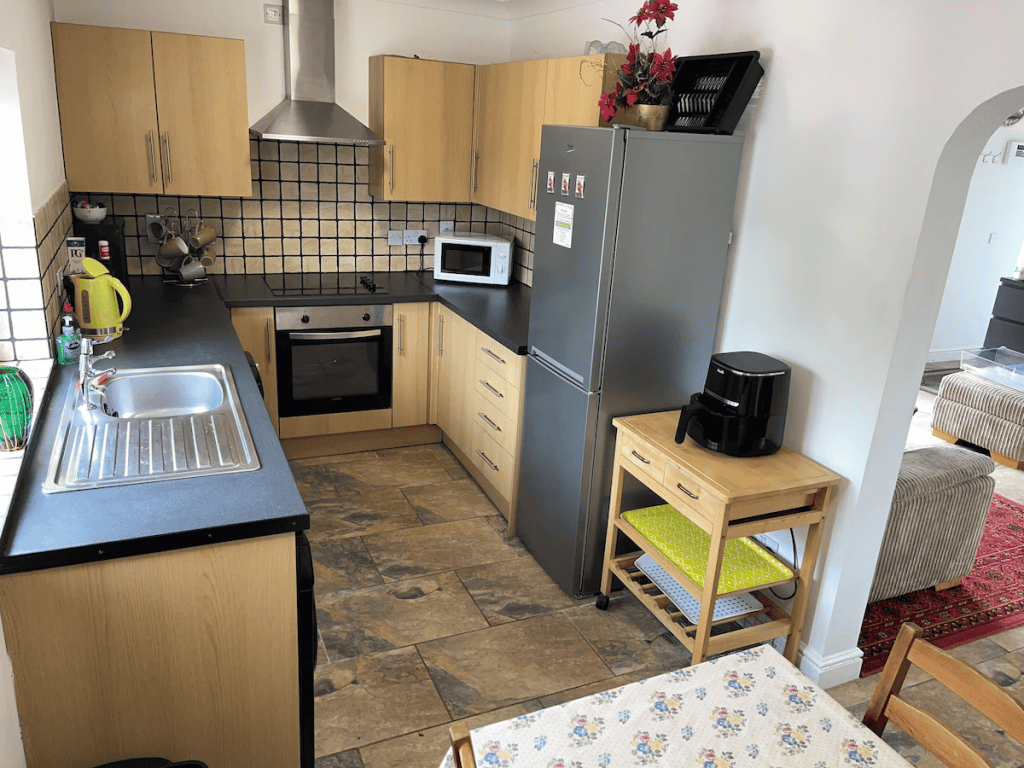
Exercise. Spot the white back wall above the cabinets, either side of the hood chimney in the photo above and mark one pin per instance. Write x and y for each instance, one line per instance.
(456, 31)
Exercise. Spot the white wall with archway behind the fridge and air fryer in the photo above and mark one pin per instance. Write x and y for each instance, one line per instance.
(860, 101)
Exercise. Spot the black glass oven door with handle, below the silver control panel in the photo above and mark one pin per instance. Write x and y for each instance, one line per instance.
(335, 371)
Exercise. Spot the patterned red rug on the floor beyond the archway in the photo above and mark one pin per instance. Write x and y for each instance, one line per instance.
(990, 601)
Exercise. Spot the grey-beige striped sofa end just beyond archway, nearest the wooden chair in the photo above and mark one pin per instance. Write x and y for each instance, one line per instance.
(936, 520)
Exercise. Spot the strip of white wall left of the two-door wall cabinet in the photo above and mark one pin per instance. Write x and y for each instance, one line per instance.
(26, 31)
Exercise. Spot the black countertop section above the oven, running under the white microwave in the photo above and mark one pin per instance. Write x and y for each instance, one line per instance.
(501, 312)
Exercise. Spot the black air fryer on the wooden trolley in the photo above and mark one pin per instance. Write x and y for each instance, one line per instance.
(742, 411)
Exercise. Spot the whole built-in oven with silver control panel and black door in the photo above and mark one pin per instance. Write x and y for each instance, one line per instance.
(333, 360)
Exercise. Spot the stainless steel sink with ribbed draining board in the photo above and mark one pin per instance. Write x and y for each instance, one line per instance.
(152, 424)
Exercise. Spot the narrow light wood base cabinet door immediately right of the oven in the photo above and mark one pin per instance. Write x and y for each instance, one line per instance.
(411, 372)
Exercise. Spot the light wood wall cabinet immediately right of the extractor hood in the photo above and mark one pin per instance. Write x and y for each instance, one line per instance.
(424, 112)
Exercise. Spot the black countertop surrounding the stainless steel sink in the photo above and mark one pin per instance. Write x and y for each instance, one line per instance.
(168, 327)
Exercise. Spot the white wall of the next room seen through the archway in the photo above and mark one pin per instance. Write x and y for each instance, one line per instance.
(995, 204)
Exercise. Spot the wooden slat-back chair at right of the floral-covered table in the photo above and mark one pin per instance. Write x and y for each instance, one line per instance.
(974, 688)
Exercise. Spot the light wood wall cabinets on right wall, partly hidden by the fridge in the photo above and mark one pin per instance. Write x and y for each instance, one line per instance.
(514, 102)
